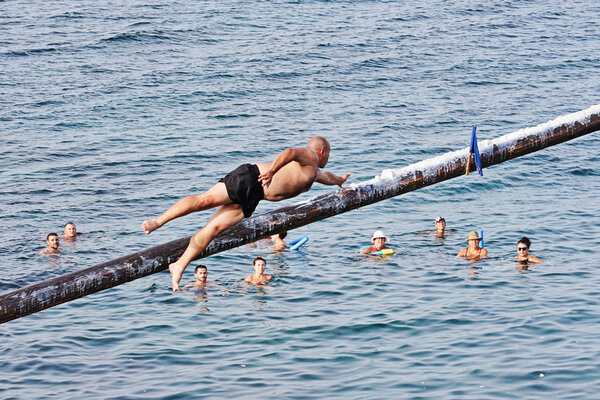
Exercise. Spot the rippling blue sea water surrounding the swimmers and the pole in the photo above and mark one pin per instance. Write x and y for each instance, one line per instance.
(110, 112)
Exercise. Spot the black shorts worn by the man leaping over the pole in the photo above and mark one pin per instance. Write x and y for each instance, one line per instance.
(244, 188)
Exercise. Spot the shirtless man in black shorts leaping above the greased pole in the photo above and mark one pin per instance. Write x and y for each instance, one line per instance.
(237, 194)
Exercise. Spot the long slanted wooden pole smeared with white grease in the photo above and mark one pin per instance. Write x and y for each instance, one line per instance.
(391, 183)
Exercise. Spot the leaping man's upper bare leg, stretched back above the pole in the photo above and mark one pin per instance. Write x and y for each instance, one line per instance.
(213, 197)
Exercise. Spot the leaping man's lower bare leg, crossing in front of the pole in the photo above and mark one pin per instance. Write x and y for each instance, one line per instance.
(225, 216)
